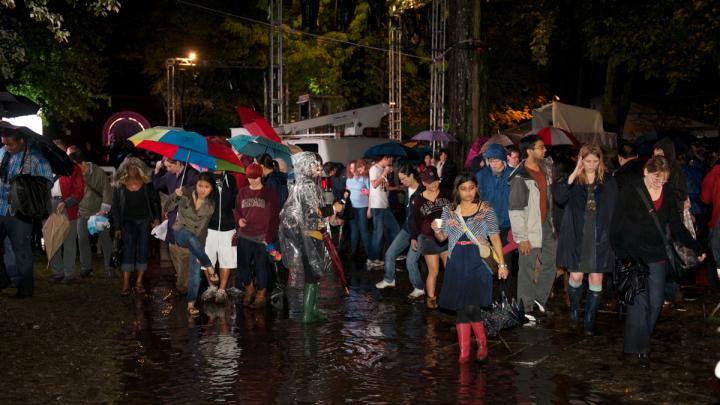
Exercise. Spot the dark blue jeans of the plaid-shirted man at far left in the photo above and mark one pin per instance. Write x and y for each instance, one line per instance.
(19, 233)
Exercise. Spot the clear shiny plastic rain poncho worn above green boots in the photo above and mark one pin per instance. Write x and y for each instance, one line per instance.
(300, 215)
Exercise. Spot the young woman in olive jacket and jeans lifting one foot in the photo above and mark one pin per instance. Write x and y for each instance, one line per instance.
(195, 208)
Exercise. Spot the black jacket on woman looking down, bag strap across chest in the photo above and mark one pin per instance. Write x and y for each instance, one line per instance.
(633, 232)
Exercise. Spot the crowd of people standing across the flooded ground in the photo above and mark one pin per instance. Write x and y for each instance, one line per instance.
(515, 217)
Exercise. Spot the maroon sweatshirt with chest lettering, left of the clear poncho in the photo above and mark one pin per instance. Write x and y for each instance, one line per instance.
(261, 211)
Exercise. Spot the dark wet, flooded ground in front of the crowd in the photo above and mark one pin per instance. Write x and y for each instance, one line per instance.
(83, 343)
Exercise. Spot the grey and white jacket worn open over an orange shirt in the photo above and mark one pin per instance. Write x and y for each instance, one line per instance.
(524, 206)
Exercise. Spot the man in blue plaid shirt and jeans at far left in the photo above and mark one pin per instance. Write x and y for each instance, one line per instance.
(16, 157)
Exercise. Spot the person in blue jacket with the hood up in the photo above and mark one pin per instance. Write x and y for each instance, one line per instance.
(494, 188)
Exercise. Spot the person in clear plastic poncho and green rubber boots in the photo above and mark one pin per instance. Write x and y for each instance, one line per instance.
(303, 220)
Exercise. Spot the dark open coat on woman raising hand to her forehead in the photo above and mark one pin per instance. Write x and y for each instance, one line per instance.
(570, 241)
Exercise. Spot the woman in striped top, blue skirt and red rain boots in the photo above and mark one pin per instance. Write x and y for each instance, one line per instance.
(467, 286)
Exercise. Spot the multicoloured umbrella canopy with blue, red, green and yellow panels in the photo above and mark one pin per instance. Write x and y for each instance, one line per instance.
(189, 147)
